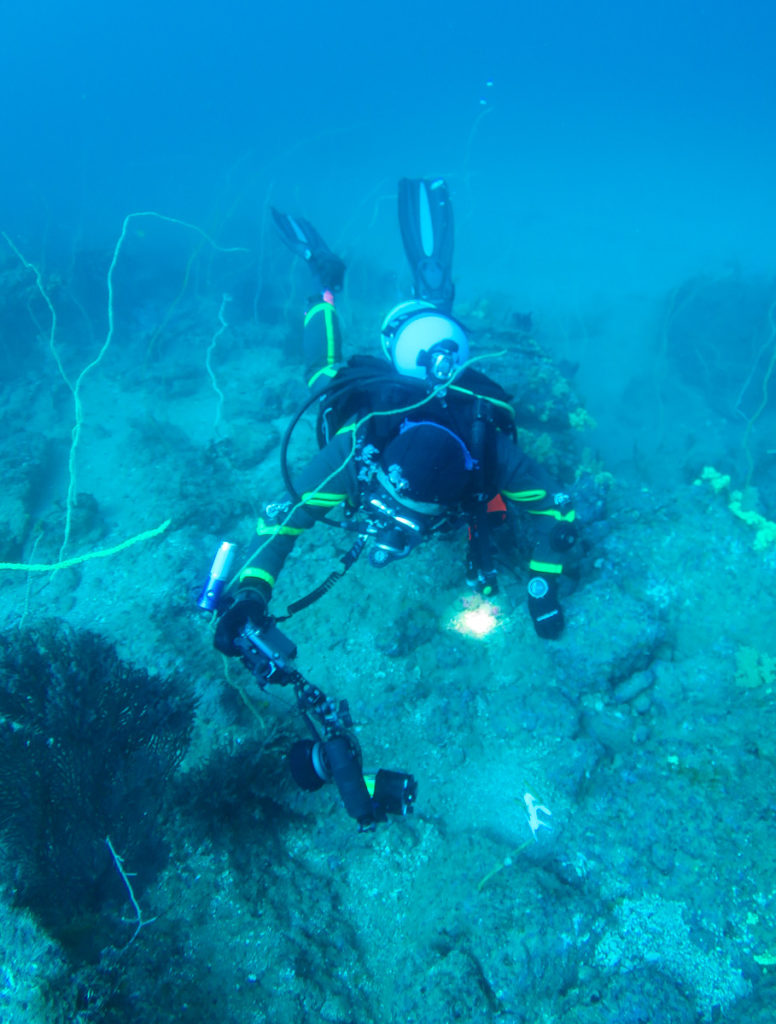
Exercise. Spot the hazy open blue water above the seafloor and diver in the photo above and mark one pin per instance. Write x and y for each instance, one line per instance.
(623, 146)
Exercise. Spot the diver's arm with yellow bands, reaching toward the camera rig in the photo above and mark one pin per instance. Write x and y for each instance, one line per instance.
(327, 481)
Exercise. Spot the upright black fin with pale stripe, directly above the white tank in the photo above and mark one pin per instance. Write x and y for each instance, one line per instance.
(427, 232)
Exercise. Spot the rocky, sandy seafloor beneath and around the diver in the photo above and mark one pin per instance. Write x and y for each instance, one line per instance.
(648, 730)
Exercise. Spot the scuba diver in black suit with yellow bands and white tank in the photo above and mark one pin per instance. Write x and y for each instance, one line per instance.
(411, 445)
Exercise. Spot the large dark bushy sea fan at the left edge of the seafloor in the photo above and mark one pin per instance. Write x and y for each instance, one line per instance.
(88, 747)
